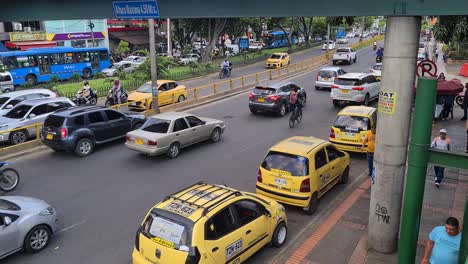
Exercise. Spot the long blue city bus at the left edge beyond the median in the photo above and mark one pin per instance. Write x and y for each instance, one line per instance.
(40, 64)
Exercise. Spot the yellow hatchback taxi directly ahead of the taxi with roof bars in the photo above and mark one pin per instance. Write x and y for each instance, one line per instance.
(299, 170)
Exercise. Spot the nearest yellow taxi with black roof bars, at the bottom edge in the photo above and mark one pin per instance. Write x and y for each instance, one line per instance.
(206, 223)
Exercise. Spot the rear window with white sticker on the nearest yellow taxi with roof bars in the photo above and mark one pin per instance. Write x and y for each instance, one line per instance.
(160, 228)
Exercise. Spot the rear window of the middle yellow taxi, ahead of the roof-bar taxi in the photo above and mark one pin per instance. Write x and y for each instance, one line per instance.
(293, 164)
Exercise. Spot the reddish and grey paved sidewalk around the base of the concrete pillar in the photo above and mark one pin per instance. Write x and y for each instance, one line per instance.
(341, 236)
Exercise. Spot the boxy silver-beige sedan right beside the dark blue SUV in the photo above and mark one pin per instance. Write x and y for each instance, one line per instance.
(169, 132)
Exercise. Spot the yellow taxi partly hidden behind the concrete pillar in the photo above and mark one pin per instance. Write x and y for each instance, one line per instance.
(350, 127)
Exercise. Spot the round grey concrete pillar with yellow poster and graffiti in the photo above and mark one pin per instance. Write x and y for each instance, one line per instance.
(393, 125)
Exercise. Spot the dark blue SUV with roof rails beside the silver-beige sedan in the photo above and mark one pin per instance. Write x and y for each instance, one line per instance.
(79, 129)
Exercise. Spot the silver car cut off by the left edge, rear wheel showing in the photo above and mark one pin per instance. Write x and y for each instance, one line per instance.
(25, 223)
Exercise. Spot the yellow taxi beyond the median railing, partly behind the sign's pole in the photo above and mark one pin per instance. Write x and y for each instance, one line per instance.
(168, 92)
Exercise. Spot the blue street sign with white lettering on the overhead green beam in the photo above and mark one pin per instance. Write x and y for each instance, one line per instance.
(136, 9)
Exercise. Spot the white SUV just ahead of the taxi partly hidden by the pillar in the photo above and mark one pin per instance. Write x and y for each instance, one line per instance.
(355, 87)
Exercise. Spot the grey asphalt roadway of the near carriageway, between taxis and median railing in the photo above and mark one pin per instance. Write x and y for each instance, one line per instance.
(101, 199)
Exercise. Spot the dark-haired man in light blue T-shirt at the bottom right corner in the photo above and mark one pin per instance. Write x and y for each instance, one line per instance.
(443, 245)
